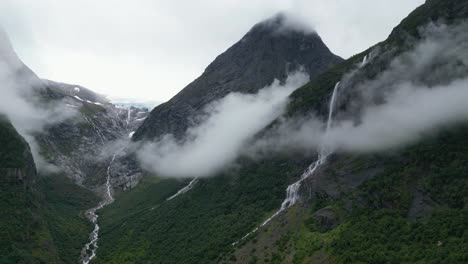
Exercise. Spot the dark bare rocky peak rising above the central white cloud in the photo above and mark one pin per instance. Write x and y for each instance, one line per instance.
(269, 51)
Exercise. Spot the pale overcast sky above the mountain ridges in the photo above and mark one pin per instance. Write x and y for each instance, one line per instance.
(151, 49)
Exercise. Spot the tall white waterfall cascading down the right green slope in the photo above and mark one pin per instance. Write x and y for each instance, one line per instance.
(292, 192)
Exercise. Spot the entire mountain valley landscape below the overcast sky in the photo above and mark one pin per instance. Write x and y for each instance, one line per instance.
(363, 162)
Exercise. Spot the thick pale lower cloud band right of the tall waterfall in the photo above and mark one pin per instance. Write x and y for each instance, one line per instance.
(410, 114)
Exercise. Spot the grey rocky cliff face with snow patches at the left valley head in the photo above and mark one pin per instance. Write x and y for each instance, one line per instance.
(84, 144)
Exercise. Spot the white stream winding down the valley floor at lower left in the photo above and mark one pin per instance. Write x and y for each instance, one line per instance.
(89, 250)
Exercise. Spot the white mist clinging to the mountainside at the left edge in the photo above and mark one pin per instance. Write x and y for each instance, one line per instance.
(19, 102)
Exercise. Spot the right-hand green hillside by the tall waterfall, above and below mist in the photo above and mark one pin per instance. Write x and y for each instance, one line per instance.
(406, 205)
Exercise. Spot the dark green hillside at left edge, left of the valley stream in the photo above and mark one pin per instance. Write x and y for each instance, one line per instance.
(41, 220)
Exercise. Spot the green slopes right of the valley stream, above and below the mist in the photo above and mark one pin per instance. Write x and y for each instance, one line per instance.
(406, 205)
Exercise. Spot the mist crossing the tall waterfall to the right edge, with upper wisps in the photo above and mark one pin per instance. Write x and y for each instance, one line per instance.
(423, 92)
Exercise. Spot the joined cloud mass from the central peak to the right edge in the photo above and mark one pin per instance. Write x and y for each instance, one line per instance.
(422, 92)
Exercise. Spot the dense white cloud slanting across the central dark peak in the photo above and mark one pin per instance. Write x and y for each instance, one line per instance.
(219, 139)
